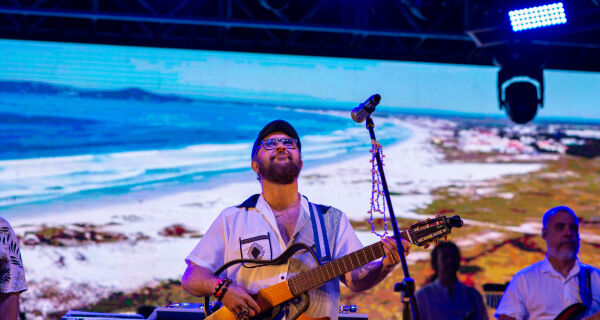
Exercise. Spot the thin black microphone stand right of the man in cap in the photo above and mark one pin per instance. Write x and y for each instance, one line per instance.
(407, 286)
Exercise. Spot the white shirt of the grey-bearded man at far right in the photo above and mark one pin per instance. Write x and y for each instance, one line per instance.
(541, 292)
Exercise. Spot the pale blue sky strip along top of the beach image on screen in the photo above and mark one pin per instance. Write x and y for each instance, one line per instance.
(283, 78)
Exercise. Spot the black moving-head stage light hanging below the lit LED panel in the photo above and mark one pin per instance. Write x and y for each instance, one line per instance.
(520, 91)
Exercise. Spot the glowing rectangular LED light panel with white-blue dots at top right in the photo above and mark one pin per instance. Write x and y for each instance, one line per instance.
(536, 17)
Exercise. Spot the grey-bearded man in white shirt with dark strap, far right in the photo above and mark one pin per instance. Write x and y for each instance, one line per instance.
(558, 287)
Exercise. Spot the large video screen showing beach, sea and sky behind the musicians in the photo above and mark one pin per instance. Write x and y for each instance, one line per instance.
(115, 160)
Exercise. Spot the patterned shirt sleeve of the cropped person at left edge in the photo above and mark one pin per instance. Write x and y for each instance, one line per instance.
(12, 274)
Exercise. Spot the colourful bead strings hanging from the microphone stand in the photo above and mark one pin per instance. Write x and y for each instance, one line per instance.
(377, 195)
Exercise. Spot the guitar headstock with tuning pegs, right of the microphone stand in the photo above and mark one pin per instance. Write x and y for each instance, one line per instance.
(423, 233)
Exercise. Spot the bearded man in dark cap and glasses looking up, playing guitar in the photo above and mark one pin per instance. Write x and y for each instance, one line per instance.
(265, 225)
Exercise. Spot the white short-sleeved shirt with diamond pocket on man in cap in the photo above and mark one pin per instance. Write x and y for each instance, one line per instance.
(252, 233)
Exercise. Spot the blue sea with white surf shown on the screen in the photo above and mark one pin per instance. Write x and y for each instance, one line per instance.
(70, 148)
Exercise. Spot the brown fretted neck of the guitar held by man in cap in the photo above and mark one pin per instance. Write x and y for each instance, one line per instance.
(316, 277)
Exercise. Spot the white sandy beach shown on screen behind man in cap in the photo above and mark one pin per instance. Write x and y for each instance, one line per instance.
(413, 168)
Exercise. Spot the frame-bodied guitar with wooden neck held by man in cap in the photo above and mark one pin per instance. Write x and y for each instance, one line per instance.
(422, 233)
